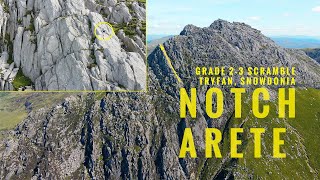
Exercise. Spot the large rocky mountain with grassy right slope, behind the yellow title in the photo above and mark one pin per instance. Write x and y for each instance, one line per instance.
(138, 135)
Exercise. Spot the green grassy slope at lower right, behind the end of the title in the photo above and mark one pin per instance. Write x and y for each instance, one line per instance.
(300, 142)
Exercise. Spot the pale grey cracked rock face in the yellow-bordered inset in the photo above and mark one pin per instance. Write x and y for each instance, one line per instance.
(54, 45)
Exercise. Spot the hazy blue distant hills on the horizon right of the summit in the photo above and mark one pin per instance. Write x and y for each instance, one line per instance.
(297, 42)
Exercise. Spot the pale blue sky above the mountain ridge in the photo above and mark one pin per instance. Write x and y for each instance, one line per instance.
(272, 17)
